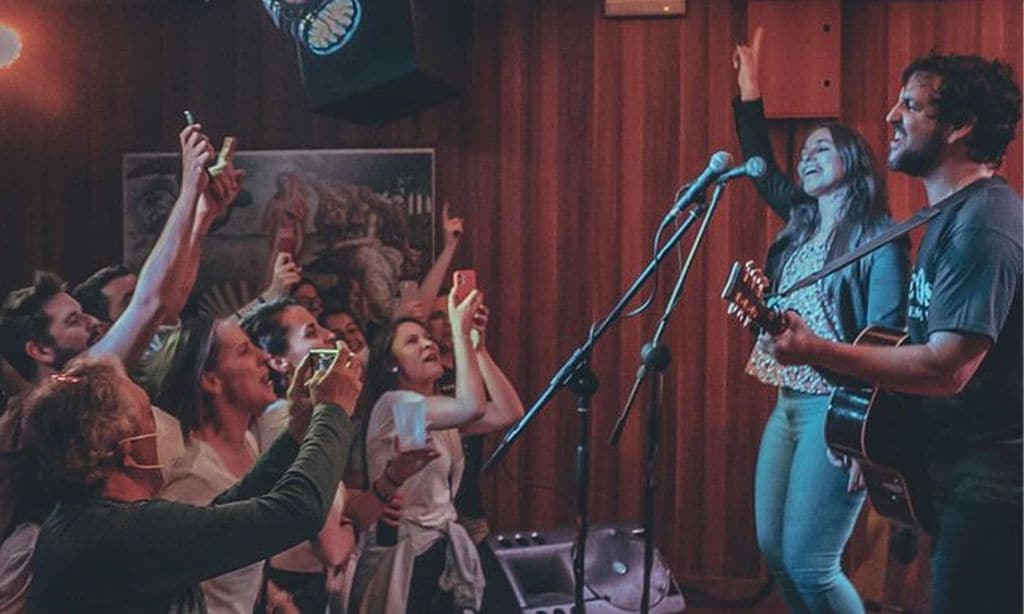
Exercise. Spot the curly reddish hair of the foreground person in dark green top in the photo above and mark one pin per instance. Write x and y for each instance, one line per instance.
(72, 425)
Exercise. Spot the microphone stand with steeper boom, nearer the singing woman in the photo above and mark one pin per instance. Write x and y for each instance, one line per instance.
(656, 358)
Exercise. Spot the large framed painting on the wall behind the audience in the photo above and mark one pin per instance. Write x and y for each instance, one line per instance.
(359, 222)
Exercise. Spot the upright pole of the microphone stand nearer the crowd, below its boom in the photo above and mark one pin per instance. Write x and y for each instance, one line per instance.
(584, 384)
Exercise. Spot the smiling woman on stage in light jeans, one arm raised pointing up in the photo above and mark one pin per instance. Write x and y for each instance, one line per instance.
(806, 507)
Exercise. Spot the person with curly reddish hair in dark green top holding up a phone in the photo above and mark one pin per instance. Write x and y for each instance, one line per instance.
(110, 547)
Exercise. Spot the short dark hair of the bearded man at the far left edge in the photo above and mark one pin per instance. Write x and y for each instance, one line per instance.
(23, 320)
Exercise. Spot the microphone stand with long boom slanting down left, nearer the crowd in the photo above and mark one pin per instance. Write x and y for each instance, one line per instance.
(576, 373)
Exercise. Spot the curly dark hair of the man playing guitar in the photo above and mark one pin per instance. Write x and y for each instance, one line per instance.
(975, 91)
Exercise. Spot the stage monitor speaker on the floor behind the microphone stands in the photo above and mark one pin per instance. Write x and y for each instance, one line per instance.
(538, 565)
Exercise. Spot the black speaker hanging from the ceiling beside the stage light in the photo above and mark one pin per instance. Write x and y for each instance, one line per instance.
(404, 57)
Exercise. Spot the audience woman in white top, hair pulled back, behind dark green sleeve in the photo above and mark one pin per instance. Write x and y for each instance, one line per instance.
(218, 383)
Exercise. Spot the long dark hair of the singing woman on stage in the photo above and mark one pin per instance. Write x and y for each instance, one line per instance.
(866, 204)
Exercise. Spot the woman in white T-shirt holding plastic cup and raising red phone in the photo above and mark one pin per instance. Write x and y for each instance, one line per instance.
(401, 382)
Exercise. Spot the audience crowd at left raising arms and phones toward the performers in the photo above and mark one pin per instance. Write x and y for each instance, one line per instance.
(155, 464)
